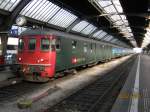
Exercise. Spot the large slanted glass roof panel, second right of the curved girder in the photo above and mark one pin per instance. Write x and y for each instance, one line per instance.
(63, 19)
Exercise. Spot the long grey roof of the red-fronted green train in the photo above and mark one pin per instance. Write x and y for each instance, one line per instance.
(60, 34)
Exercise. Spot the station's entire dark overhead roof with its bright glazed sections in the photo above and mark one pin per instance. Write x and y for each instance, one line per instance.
(120, 22)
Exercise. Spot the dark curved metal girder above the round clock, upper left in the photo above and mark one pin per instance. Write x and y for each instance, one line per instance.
(15, 13)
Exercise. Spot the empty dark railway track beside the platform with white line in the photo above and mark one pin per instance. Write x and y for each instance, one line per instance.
(98, 96)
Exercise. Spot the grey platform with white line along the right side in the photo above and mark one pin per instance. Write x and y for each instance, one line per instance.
(135, 95)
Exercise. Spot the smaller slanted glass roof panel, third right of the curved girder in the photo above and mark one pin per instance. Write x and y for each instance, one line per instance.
(80, 26)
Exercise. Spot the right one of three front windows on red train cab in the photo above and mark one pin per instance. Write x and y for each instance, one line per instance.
(45, 44)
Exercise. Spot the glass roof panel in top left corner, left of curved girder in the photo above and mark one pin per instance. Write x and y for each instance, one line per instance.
(8, 5)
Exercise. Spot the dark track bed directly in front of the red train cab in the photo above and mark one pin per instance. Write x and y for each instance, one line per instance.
(13, 92)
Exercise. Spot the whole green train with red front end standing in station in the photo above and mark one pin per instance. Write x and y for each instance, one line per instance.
(43, 53)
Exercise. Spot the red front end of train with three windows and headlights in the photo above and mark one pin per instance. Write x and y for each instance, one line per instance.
(36, 57)
